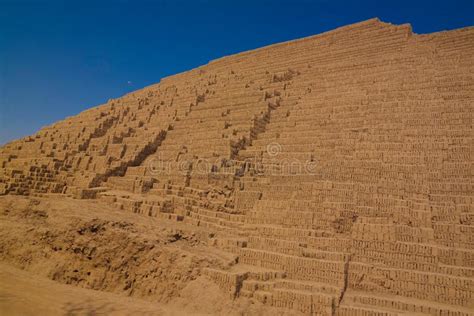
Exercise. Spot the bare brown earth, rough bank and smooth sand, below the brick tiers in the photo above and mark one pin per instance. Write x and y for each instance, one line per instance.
(106, 262)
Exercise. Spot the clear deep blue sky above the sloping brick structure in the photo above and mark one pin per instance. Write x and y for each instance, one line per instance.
(58, 58)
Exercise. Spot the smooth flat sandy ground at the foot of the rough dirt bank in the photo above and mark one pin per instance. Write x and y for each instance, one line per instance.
(22, 293)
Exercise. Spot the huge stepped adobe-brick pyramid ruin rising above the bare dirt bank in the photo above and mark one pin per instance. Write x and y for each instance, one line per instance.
(338, 167)
